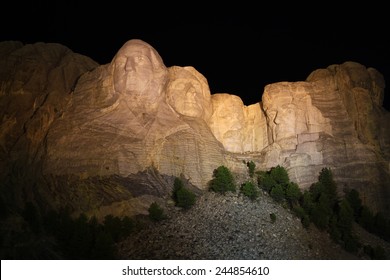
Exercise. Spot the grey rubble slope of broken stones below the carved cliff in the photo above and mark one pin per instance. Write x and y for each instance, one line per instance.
(230, 226)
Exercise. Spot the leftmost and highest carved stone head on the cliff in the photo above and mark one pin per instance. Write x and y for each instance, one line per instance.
(139, 75)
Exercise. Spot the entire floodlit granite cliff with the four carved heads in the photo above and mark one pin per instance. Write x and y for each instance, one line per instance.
(76, 123)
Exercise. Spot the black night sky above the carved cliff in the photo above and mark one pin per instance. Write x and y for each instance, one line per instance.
(239, 49)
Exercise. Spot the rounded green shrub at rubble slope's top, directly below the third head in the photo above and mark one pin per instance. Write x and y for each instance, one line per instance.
(223, 180)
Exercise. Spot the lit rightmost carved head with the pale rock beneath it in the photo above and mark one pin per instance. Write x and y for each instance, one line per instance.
(295, 129)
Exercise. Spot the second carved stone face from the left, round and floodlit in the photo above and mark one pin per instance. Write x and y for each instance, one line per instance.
(187, 93)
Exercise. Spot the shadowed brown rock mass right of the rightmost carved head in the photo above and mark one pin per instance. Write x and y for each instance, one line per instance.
(351, 96)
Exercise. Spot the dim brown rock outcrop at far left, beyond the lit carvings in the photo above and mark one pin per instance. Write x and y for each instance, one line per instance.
(35, 84)
